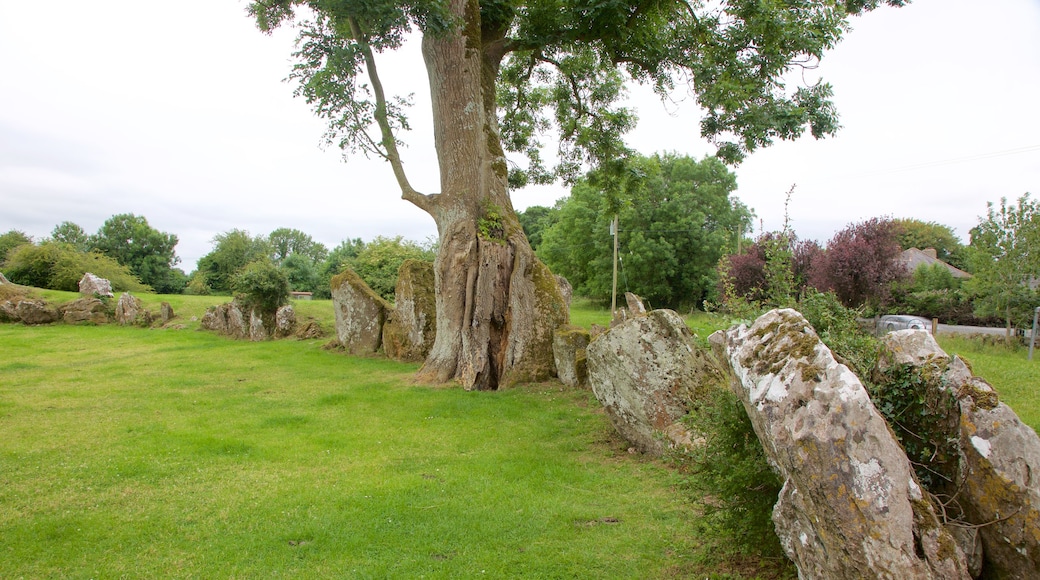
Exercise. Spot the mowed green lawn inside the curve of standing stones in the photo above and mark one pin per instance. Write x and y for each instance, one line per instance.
(132, 453)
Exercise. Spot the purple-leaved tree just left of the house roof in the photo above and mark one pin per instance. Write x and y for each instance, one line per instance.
(861, 263)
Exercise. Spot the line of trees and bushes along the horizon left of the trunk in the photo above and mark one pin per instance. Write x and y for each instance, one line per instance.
(137, 257)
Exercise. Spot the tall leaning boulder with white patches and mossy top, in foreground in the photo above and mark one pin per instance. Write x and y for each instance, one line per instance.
(851, 507)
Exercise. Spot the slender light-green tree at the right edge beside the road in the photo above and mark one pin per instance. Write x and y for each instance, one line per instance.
(1006, 260)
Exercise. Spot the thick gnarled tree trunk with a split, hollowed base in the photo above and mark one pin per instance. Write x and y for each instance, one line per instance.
(498, 305)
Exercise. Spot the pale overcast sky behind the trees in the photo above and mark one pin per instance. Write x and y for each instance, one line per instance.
(177, 113)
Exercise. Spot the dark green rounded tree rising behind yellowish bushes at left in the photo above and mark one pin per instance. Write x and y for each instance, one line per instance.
(146, 251)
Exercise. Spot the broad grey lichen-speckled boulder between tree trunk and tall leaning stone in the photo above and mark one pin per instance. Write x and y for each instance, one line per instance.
(647, 373)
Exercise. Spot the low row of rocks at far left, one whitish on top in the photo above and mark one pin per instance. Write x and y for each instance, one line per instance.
(94, 307)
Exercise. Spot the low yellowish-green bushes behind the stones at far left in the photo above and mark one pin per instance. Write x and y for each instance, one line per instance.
(60, 267)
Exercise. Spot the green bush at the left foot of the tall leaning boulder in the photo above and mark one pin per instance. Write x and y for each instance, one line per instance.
(731, 467)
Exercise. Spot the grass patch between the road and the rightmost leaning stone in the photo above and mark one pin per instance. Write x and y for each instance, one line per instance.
(1007, 370)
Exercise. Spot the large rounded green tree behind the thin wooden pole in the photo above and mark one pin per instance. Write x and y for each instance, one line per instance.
(677, 218)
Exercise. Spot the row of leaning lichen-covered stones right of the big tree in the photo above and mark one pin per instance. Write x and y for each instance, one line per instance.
(852, 506)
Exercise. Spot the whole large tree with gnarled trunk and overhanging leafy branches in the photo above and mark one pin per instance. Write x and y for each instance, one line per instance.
(504, 72)
